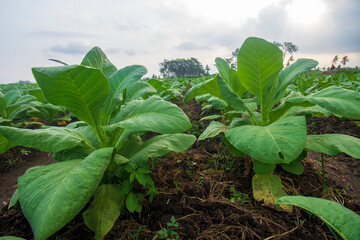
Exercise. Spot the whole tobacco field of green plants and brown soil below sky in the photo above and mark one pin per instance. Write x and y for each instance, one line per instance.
(262, 151)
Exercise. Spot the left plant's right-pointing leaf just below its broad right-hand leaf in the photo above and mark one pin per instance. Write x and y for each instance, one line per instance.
(160, 145)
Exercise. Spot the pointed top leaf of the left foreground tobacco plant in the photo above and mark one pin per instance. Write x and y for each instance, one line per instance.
(96, 58)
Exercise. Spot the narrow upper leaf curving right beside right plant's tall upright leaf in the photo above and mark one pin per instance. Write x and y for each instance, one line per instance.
(287, 75)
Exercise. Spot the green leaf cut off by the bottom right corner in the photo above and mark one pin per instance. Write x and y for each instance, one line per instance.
(344, 221)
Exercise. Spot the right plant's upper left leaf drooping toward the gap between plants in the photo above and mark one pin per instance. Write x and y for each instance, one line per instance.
(208, 86)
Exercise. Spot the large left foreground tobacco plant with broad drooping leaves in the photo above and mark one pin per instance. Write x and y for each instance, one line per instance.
(102, 158)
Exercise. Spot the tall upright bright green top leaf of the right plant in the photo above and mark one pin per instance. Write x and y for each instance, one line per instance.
(259, 63)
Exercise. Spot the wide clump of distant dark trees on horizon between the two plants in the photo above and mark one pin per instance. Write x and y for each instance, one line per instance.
(181, 68)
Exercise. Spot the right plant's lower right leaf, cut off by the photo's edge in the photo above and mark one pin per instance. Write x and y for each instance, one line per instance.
(332, 144)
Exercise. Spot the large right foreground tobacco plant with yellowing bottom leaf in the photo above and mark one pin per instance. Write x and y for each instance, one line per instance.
(270, 126)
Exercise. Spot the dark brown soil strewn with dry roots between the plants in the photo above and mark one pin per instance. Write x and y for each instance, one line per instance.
(194, 187)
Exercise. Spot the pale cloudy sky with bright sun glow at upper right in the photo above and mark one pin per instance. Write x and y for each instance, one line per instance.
(147, 32)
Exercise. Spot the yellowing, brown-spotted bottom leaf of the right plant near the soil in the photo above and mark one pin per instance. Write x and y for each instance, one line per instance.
(268, 188)
